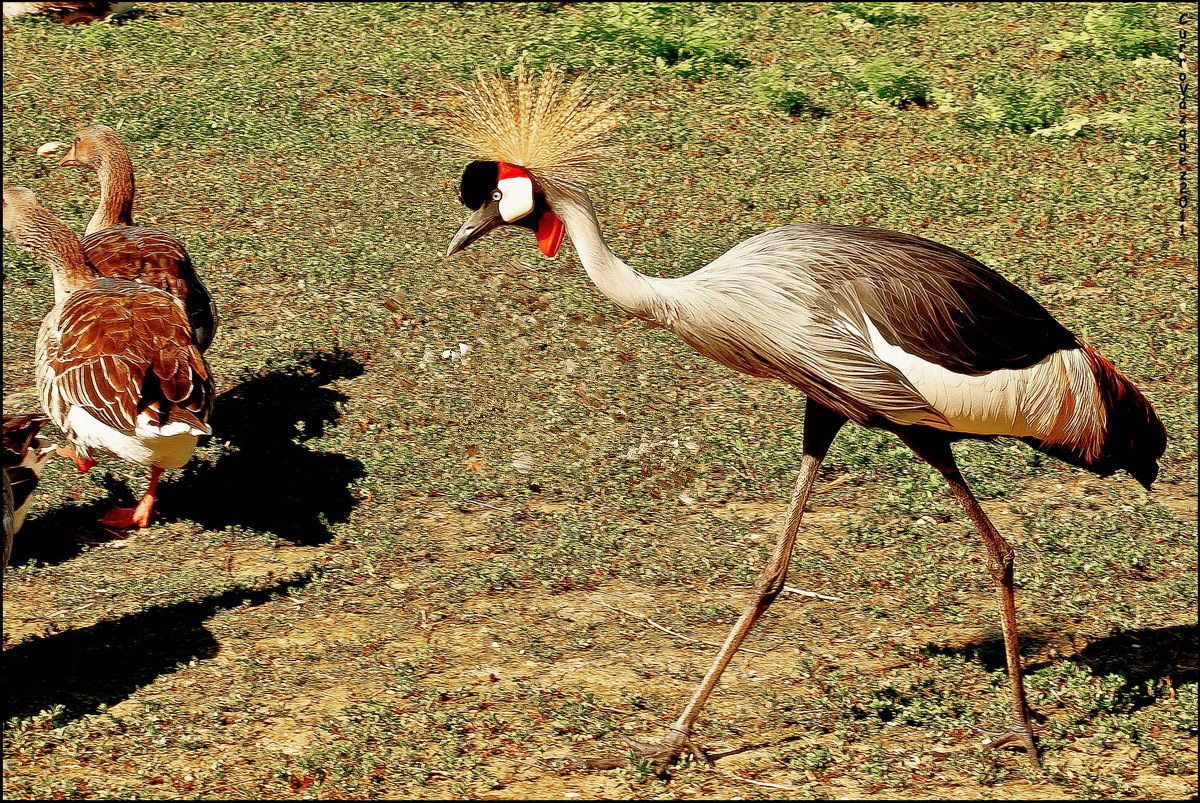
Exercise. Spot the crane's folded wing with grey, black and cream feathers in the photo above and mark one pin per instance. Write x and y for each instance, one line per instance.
(883, 319)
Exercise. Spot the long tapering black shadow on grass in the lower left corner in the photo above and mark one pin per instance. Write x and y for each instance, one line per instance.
(79, 672)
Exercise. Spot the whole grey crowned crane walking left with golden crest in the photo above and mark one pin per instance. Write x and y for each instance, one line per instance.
(879, 328)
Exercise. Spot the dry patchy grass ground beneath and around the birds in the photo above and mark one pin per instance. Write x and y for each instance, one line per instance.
(397, 574)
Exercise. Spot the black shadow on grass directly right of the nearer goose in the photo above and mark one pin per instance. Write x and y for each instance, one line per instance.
(266, 478)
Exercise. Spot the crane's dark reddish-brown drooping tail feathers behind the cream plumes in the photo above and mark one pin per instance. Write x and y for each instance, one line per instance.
(1135, 438)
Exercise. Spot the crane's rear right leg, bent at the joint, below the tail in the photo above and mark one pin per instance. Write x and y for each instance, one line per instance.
(937, 451)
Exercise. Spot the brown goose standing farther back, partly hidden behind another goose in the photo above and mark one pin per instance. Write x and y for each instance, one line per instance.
(122, 250)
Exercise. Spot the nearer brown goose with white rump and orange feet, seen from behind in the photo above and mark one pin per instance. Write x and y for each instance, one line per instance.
(117, 368)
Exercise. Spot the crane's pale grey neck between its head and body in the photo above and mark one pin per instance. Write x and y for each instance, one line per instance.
(634, 292)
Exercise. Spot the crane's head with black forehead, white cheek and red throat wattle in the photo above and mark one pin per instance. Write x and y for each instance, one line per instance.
(505, 195)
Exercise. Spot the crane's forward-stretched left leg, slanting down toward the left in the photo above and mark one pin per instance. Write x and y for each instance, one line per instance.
(821, 426)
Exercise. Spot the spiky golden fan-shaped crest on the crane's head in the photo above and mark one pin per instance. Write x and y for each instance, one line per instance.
(551, 125)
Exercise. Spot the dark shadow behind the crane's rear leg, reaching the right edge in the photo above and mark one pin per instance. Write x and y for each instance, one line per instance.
(1137, 656)
